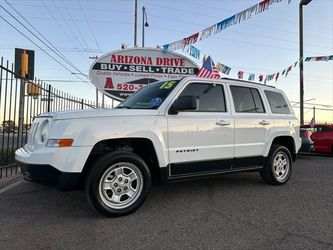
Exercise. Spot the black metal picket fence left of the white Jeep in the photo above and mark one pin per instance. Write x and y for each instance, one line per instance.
(21, 101)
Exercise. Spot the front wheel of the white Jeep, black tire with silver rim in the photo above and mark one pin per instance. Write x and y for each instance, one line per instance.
(101, 199)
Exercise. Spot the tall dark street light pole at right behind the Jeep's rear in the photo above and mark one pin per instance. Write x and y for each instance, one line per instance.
(301, 73)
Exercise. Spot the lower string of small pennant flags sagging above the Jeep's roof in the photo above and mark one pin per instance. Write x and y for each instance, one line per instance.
(251, 76)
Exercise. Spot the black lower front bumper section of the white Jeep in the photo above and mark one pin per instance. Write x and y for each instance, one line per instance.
(46, 174)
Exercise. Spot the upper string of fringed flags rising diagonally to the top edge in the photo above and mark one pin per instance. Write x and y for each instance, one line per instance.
(222, 25)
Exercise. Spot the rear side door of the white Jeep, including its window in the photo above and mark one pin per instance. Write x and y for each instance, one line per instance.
(252, 122)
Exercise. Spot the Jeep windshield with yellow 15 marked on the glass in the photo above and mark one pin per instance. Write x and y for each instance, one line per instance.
(150, 97)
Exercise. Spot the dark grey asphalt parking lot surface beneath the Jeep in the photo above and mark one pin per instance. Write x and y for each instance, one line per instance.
(229, 212)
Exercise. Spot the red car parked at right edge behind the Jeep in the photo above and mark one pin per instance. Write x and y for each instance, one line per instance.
(322, 136)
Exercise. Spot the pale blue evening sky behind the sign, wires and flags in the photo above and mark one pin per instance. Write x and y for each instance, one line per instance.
(266, 43)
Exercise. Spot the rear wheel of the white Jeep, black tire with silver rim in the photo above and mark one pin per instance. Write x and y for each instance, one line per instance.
(278, 174)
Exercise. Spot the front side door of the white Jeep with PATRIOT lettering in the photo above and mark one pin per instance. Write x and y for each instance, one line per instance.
(201, 140)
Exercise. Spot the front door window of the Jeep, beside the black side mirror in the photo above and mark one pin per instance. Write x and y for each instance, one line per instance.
(210, 97)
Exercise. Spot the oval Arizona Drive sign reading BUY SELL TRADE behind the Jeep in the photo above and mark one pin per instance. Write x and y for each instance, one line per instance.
(121, 73)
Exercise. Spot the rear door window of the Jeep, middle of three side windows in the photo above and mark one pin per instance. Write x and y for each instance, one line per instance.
(247, 100)
